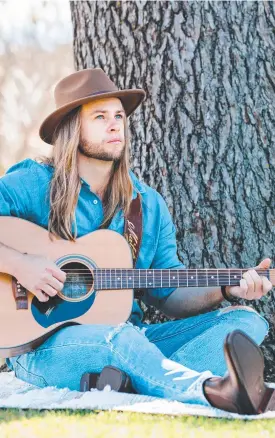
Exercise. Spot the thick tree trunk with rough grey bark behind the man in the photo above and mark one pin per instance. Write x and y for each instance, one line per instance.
(203, 137)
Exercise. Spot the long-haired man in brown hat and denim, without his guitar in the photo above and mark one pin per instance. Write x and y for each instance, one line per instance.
(86, 185)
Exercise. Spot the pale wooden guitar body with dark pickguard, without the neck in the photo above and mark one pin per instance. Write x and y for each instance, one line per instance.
(23, 329)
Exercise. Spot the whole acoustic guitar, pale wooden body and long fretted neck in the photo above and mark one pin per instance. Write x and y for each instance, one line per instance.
(99, 285)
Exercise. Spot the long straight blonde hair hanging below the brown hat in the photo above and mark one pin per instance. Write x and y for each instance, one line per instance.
(65, 185)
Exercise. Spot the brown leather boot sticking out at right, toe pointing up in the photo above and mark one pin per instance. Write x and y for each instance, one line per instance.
(242, 390)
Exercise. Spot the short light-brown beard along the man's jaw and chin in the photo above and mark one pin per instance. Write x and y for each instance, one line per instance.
(97, 151)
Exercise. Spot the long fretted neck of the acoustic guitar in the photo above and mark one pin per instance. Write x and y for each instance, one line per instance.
(174, 278)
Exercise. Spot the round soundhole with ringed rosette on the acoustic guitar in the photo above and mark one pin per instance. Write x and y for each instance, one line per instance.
(79, 283)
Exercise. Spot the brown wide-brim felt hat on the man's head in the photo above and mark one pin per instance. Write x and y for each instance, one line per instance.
(82, 87)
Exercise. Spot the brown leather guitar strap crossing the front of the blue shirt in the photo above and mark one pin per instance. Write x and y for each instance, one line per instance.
(133, 233)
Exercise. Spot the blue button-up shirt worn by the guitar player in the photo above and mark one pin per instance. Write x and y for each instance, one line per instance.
(23, 193)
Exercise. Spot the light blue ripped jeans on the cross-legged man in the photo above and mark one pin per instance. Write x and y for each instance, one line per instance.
(169, 360)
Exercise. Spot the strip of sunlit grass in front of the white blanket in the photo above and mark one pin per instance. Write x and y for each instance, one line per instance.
(82, 424)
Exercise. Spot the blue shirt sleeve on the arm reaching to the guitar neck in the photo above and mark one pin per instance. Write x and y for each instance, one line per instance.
(166, 251)
